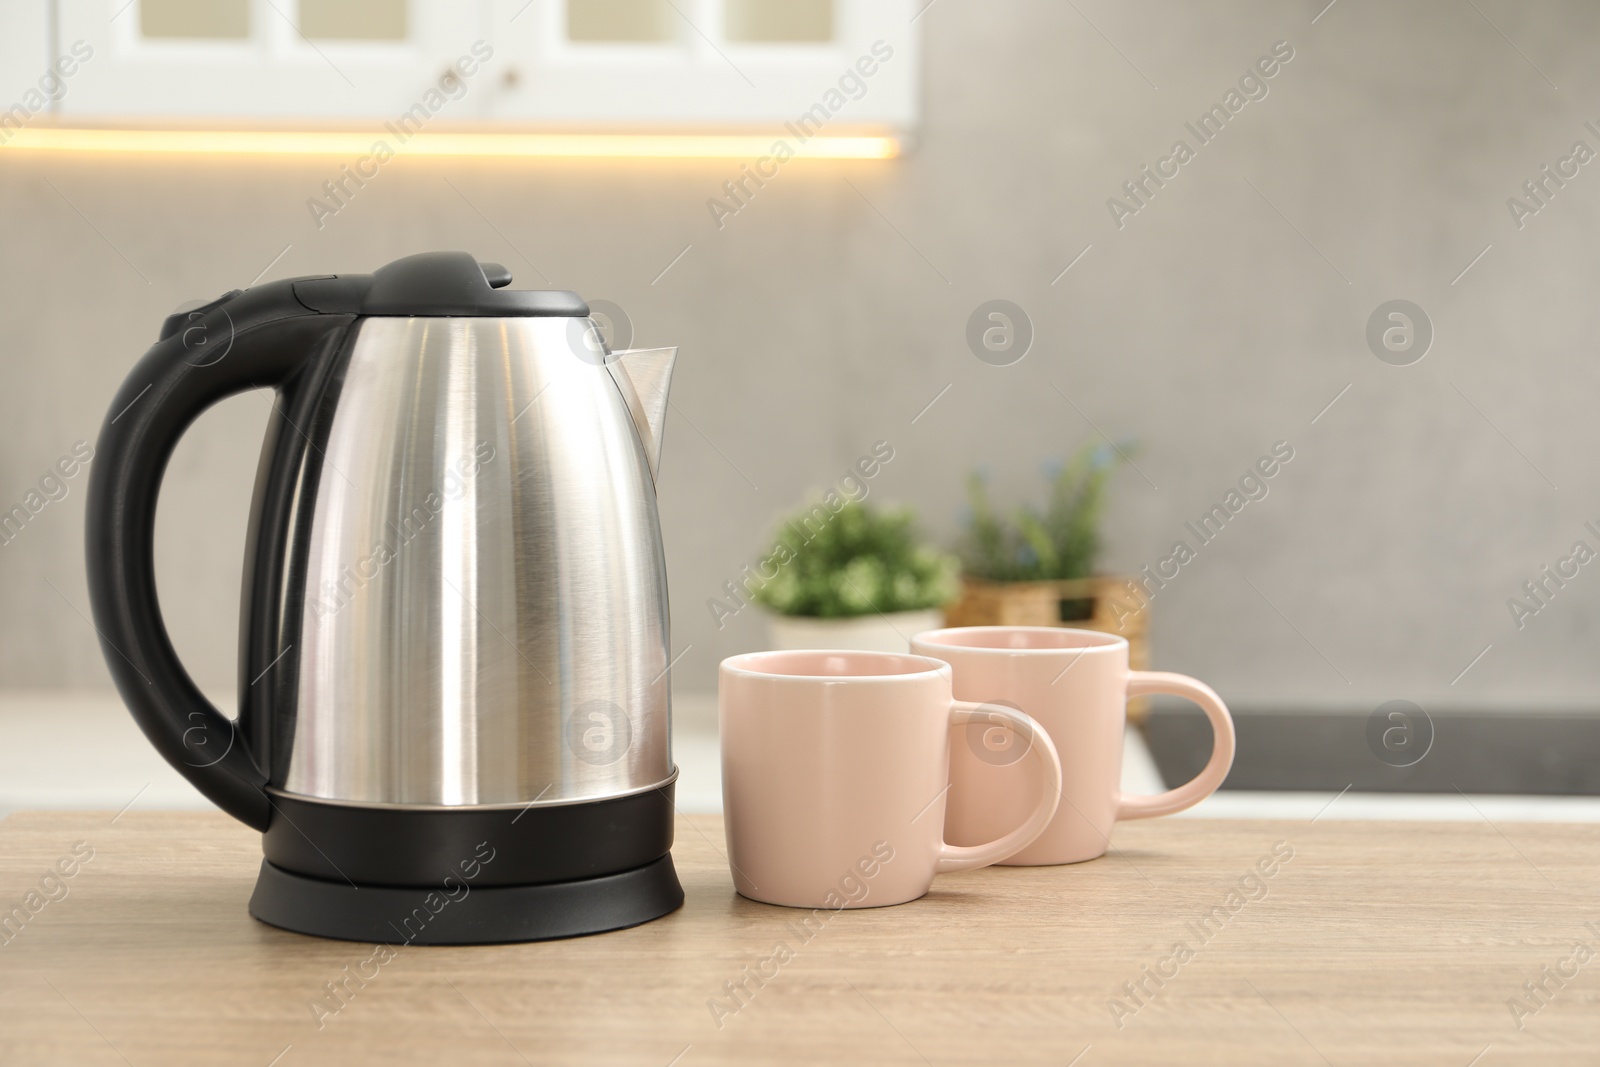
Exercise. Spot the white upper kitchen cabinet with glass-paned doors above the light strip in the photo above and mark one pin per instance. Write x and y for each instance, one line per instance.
(521, 65)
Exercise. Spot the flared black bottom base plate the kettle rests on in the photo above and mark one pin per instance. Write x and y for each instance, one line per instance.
(422, 916)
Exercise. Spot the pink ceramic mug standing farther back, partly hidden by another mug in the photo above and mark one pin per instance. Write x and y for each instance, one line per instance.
(1078, 685)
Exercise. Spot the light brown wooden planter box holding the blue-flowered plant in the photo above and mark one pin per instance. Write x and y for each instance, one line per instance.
(1086, 604)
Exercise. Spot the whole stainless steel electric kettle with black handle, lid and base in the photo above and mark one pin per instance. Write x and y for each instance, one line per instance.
(454, 705)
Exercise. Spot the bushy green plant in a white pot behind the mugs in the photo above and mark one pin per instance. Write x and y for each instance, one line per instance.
(855, 577)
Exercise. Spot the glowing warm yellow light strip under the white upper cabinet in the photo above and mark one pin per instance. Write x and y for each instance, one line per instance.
(743, 146)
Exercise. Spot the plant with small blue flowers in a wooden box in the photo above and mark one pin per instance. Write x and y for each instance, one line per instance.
(1038, 567)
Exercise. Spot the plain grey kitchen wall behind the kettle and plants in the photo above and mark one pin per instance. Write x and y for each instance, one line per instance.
(1222, 319)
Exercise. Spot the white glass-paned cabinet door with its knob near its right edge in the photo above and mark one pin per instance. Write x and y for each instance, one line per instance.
(279, 62)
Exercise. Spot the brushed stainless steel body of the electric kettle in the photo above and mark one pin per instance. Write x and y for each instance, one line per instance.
(484, 594)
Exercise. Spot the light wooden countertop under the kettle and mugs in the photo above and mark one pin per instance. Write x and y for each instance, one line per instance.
(1375, 943)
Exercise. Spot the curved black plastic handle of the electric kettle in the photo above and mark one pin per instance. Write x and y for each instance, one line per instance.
(260, 338)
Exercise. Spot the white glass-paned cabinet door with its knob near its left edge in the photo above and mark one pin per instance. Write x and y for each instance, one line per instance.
(686, 63)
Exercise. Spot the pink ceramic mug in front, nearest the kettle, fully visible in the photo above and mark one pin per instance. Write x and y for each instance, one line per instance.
(834, 775)
